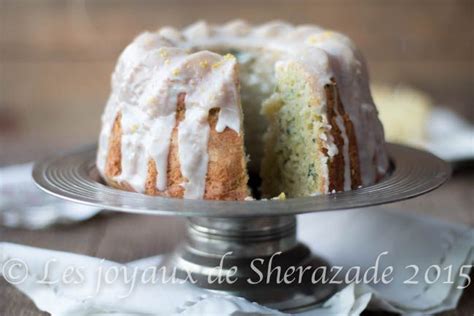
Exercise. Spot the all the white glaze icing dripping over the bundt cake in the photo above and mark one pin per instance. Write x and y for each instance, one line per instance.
(155, 68)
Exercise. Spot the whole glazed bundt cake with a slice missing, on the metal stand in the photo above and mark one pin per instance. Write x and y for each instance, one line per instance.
(181, 100)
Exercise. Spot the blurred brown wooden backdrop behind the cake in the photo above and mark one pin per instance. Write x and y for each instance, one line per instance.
(56, 57)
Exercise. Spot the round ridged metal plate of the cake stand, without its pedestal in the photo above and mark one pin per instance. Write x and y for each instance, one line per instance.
(75, 184)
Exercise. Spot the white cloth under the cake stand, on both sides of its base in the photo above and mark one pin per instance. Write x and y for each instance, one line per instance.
(347, 239)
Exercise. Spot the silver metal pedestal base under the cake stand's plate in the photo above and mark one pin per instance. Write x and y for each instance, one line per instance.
(258, 258)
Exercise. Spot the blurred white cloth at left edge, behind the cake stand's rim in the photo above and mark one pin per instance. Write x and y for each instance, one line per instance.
(22, 204)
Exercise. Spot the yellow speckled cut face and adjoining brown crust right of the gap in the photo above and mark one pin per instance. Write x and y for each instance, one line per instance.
(310, 146)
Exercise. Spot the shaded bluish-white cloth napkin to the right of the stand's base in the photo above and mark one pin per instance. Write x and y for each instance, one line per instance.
(413, 243)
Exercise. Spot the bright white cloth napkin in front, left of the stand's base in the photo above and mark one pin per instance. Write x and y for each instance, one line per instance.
(41, 275)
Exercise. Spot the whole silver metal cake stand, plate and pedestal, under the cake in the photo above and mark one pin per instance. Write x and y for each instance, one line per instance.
(254, 234)
